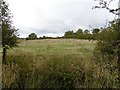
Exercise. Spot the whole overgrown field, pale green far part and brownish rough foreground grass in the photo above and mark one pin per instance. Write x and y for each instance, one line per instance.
(56, 63)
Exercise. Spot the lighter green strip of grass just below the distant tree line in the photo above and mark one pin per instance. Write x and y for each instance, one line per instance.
(62, 46)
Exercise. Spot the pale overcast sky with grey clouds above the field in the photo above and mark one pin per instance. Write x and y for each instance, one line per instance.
(55, 17)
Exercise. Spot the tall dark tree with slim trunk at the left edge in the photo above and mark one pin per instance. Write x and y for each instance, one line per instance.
(9, 33)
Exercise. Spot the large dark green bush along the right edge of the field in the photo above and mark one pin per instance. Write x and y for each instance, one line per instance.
(107, 49)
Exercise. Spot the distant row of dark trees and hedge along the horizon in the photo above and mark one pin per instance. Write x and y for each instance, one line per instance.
(79, 34)
